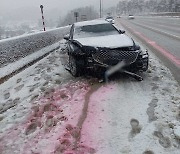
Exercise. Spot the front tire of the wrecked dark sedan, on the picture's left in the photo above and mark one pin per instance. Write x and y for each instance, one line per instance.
(73, 66)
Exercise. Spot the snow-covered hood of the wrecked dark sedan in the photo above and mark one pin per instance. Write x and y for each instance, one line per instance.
(108, 41)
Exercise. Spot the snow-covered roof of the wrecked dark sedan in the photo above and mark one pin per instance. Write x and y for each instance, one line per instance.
(91, 22)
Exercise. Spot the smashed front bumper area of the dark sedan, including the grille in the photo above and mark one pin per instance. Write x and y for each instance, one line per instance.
(134, 60)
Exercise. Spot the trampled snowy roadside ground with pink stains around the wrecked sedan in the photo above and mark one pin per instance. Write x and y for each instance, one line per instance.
(45, 110)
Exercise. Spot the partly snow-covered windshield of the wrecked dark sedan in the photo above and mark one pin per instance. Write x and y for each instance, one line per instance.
(94, 30)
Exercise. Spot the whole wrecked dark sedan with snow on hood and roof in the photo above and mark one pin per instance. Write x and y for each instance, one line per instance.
(99, 46)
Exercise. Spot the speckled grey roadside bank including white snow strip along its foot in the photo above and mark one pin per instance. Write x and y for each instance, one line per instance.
(19, 51)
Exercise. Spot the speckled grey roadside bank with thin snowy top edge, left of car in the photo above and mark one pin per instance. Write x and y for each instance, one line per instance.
(13, 49)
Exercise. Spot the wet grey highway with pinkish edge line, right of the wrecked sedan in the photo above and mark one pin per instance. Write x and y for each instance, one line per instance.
(161, 35)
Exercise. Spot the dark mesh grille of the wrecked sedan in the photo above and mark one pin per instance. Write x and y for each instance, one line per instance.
(112, 57)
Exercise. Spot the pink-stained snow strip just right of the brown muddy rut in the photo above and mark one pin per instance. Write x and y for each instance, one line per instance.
(93, 127)
